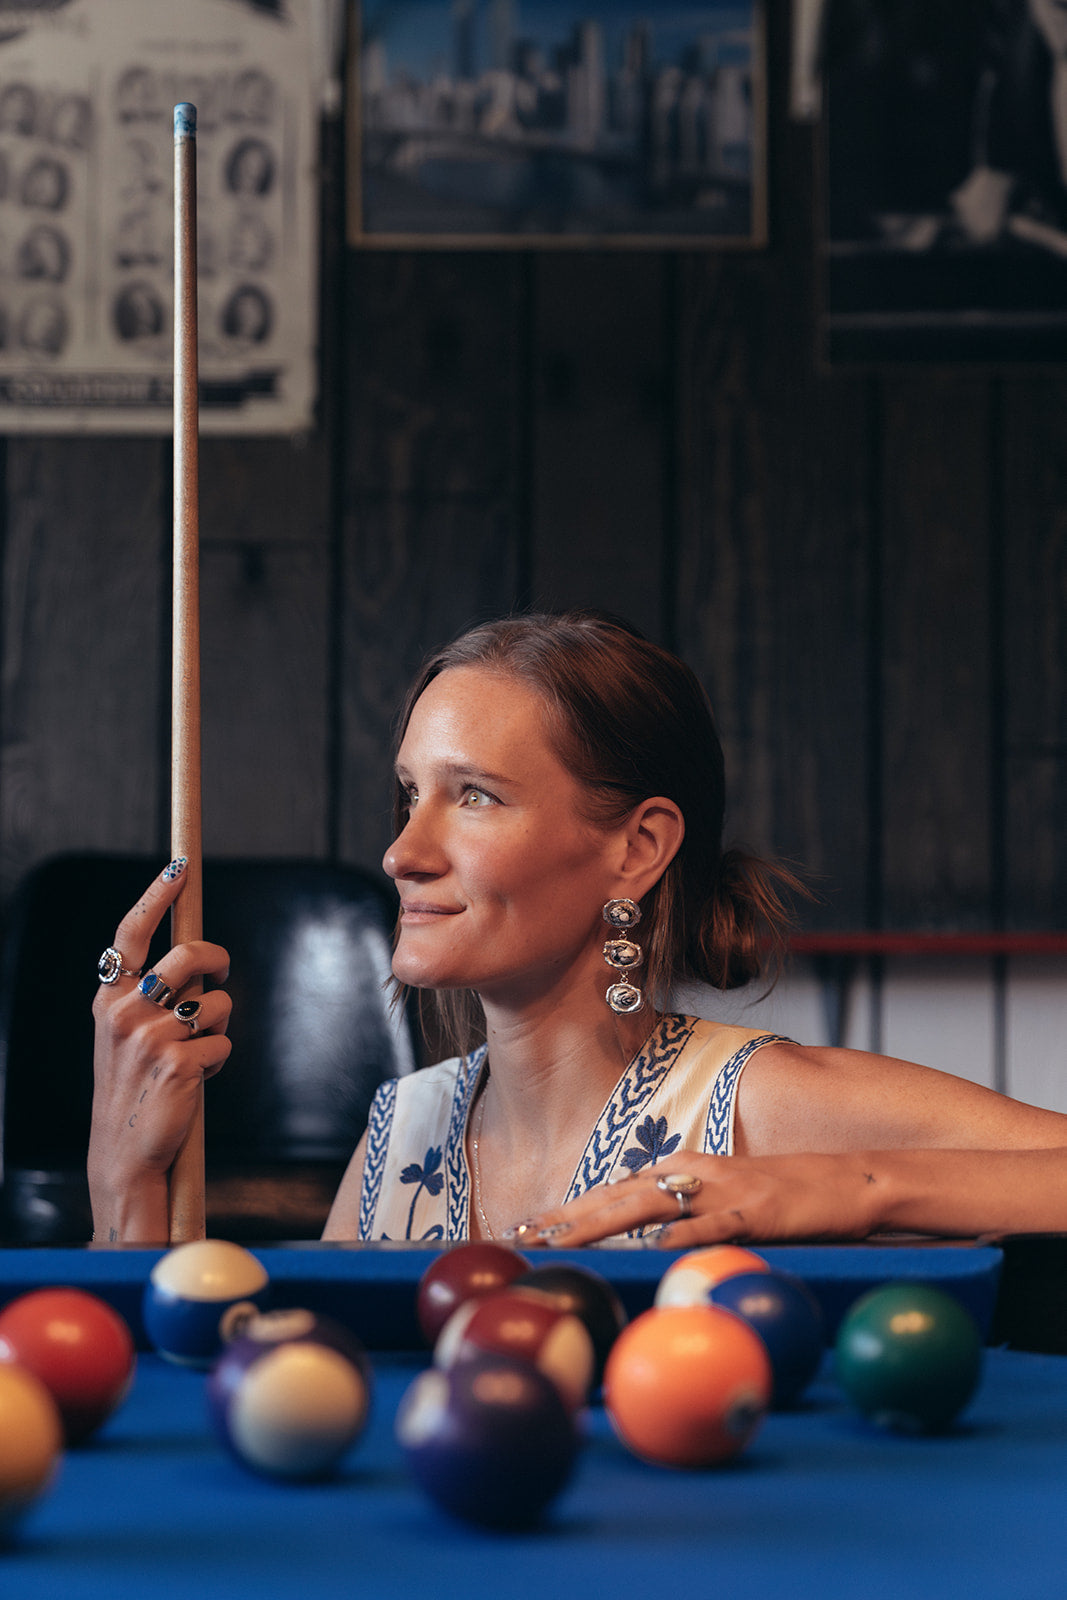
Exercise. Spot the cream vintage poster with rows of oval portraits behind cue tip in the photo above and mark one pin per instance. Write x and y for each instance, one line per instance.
(87, 102)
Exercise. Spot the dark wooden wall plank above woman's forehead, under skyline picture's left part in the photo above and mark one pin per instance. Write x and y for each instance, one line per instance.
(431, 497)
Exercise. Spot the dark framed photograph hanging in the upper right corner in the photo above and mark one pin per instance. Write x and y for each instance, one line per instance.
(945, 182)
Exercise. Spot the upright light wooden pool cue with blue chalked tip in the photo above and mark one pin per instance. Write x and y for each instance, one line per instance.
(188, 1174)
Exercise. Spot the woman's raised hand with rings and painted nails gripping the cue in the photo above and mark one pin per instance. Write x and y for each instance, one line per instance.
(148, 1070)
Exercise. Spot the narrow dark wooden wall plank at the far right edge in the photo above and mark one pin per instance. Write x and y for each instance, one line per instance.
(1036, 650)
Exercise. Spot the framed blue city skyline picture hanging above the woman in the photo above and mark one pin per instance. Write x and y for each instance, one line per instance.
(490, 124)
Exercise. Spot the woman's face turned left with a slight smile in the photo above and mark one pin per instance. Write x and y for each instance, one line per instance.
(502, 881)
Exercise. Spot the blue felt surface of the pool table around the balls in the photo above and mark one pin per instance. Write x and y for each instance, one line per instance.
(820, 1506)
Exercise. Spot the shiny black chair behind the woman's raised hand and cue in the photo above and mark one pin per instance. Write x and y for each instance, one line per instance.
(313, 1034)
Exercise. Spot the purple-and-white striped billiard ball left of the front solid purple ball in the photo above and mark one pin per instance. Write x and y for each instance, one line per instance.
(290, 1394)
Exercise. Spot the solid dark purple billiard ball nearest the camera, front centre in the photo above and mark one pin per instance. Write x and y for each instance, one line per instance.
(489, 1441)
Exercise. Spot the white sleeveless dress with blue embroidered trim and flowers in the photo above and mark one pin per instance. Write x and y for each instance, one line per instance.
(679, 1094)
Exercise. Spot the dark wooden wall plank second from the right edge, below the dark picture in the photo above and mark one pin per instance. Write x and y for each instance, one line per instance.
(937, 671)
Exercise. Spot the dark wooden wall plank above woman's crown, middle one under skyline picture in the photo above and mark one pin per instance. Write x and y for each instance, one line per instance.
(597, 436)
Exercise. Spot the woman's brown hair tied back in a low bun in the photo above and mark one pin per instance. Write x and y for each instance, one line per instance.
(631, 721)
